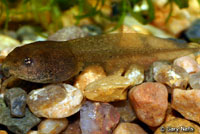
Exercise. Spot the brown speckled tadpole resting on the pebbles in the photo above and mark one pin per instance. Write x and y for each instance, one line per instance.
(51, 61)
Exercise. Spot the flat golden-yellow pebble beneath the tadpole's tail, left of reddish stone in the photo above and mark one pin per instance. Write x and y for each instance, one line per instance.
(108, 89)
